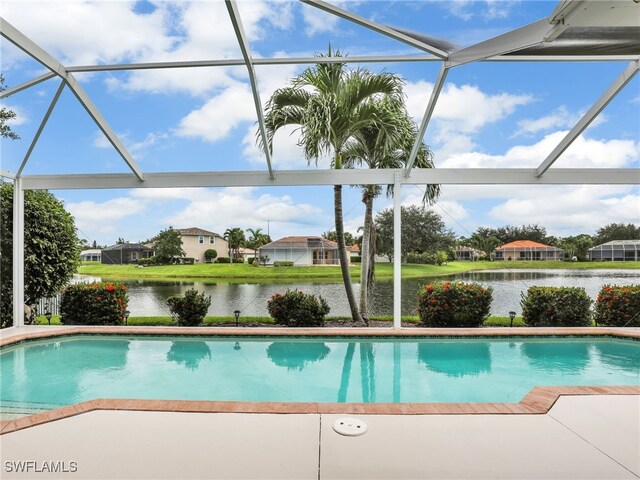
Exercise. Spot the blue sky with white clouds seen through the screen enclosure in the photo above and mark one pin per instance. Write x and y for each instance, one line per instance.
(200, 119)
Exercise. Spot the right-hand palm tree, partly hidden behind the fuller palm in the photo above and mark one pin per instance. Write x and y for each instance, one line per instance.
(387, 147)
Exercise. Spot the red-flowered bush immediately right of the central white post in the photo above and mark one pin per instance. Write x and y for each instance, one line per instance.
(448, 304)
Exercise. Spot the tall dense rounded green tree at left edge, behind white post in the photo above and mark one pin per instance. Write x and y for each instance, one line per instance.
(51, 254)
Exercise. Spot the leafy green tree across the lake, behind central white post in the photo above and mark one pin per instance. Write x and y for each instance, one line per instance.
(423, 231)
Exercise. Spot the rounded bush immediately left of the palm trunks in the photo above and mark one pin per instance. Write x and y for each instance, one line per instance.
(298, 309)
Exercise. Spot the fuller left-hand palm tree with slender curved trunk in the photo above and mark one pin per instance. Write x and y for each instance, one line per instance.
(330, 104)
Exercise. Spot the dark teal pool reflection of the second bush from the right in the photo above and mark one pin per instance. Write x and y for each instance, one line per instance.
(560, 357)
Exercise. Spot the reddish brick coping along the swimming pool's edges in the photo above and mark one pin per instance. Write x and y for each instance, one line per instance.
(538, 401)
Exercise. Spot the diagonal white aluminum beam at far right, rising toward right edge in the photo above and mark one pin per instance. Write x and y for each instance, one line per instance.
(618, 84)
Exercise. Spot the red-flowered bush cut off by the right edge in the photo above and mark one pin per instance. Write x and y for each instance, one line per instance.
(618, 306)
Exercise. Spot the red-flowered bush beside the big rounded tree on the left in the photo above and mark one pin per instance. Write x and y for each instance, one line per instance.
(94, 304)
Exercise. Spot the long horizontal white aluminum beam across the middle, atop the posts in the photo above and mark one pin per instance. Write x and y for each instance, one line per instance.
(284, 178)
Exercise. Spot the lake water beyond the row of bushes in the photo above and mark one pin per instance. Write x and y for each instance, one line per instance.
(148, 298)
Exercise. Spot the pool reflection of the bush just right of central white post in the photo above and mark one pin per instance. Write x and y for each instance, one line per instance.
(456, 360)
